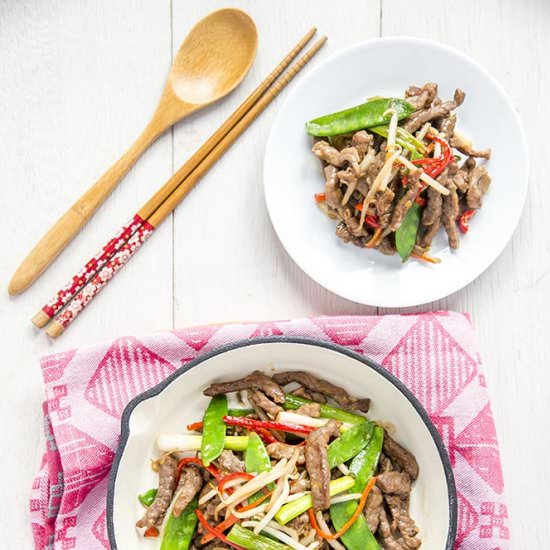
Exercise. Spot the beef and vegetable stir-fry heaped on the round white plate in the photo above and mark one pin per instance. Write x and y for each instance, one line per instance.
(397, 170)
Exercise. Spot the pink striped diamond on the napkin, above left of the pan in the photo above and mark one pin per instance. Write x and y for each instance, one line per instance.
(127, 369)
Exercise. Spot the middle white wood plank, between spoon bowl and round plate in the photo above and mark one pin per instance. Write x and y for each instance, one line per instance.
(229, 264)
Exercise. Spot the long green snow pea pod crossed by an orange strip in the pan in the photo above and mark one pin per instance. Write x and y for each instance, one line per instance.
(359, 536)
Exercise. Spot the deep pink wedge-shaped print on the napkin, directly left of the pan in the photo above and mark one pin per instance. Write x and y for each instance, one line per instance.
(86, 462)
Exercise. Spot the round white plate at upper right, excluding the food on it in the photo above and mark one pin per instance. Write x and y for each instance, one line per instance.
(292, 175)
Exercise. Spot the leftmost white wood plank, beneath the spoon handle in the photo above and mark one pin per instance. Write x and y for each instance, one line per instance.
(78, 80)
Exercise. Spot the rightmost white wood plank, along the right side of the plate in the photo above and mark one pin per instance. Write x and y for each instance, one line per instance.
(510, 302)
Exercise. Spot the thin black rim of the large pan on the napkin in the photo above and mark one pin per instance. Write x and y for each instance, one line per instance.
(154, 391)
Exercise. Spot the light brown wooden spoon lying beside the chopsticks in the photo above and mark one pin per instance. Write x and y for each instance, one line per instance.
(211, 62)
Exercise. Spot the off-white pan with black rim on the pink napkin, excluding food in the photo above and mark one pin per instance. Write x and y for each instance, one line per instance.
(179, 400)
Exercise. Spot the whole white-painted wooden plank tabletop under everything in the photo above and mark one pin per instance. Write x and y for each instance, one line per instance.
(78, 81)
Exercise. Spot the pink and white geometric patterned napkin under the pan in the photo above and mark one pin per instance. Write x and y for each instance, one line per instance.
(434, 354)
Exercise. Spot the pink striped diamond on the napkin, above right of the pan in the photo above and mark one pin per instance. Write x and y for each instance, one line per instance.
(436, 373)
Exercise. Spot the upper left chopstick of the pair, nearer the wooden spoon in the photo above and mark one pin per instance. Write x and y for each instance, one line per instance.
(85, 275)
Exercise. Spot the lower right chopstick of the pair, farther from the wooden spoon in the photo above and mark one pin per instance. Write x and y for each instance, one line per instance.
(127, 250)
